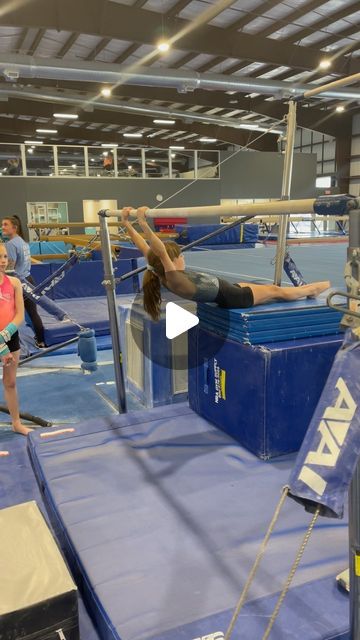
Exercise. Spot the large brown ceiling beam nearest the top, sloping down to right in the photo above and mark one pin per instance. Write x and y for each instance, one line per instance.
(127, 23)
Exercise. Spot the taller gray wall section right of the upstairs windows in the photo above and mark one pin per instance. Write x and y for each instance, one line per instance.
(259, 175)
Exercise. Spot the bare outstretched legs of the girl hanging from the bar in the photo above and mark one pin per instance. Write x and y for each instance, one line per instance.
(264, 293)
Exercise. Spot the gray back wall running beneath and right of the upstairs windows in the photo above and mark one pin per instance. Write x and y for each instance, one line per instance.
(246, 175)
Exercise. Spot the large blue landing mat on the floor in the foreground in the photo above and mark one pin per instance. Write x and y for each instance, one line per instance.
(162, 521)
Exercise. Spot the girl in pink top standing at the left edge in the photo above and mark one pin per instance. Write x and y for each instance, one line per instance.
(11, 317)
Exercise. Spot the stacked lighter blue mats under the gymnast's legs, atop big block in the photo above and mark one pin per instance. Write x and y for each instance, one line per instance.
(272, 322)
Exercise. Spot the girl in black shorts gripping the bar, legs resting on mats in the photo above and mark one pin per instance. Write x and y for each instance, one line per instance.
(166, 267)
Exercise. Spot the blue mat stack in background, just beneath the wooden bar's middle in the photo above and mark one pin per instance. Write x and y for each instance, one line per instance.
(235, 235)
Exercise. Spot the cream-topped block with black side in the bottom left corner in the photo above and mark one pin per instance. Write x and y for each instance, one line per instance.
(38, 597)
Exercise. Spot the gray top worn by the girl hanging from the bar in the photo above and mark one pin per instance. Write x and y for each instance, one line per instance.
(192, 285)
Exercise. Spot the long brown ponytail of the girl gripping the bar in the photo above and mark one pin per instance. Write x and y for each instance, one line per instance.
(152, 279)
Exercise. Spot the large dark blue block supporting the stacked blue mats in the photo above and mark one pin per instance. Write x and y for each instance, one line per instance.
(264, 395)
